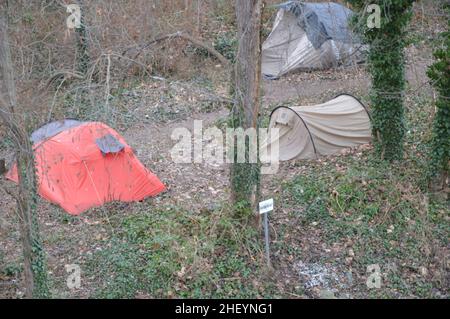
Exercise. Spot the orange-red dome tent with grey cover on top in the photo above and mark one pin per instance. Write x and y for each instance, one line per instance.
(86, 164)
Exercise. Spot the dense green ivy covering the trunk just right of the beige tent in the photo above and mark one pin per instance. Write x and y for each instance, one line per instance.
(386, 64)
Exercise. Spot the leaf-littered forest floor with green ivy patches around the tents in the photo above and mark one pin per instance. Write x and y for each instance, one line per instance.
(334, 219)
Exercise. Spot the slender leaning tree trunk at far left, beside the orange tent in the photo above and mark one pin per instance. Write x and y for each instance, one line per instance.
(35, 273)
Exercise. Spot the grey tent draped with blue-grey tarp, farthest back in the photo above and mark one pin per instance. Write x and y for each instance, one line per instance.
(308, 36)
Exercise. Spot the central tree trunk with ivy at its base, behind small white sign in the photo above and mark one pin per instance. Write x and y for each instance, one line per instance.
(245, 177)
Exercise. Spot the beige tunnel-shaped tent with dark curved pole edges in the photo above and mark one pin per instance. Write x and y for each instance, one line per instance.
(307, 132)
